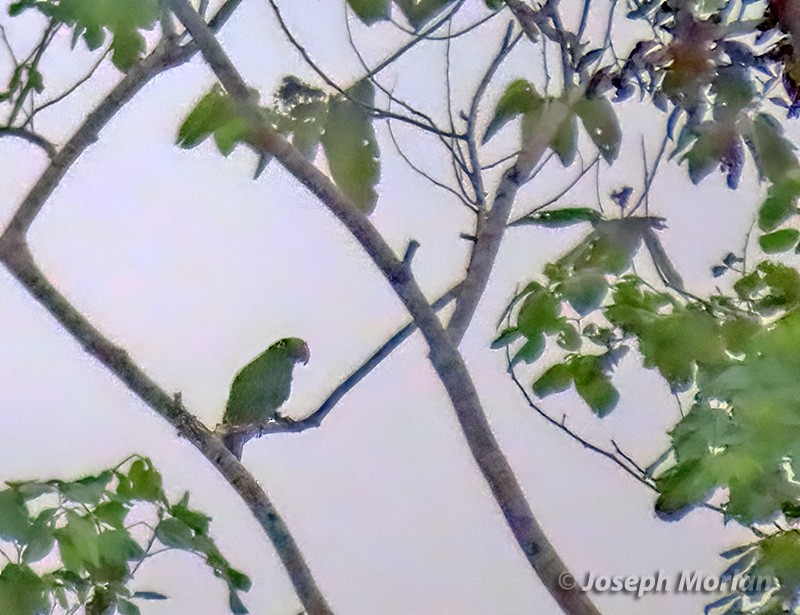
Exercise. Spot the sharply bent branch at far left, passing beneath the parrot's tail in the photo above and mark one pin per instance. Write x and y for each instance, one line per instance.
(16, 256)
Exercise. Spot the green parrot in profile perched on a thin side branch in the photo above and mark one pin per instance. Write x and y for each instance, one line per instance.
(263, 385)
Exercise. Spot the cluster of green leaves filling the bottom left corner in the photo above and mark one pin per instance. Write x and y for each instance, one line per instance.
(79, 543)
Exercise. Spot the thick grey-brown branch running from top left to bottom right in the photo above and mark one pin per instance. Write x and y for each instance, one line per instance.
(445, 358)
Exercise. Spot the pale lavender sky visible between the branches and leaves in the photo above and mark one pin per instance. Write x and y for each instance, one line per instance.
(194, 268)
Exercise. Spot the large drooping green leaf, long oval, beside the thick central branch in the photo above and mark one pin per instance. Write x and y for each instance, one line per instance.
(351, 147)
